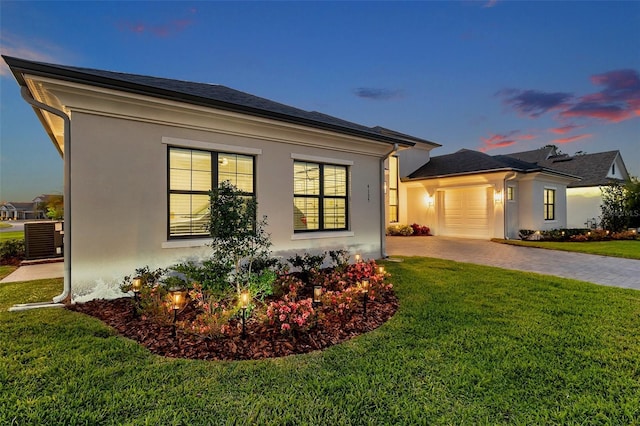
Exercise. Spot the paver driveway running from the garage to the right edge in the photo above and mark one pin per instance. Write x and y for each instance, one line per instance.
(610, 271)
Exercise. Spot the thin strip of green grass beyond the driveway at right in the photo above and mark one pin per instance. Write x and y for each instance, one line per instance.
(621, 248)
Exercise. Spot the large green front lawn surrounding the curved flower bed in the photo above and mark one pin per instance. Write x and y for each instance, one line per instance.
(469, 345)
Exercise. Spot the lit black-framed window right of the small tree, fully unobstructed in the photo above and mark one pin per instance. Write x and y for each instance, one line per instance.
(319, 197)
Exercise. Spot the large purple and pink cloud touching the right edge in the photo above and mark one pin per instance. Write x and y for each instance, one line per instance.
(619, 99)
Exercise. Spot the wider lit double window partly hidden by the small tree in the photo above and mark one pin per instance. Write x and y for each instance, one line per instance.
(192, 174)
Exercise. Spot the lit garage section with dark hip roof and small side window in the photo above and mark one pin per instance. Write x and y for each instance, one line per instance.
(474, 195)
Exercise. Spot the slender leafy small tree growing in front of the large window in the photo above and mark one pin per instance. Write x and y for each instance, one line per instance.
(239, 239)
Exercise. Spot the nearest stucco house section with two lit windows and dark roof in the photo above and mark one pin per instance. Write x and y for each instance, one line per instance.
(141, 153)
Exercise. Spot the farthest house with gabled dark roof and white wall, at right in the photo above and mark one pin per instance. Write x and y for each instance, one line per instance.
(584, 197)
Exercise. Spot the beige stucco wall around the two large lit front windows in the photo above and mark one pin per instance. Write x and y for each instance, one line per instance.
(119, 198)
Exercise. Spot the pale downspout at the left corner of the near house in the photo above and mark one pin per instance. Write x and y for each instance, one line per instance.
(66, 292)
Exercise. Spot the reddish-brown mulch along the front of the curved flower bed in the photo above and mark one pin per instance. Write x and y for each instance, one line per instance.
(261, 341)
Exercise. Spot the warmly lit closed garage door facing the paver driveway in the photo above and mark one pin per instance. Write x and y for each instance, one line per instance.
(464, 212)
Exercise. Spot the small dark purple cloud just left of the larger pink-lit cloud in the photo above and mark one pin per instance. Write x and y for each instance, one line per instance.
(534, 103)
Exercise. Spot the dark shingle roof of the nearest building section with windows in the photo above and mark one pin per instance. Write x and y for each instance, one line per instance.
(211, 95)
